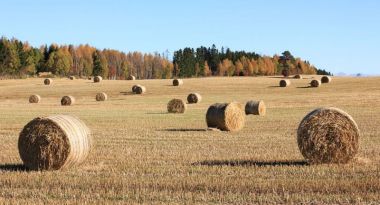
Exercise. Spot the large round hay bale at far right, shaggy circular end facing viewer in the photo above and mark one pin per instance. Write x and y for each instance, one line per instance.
(328, 135)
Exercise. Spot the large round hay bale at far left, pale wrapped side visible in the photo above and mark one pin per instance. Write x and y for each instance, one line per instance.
(54, 142)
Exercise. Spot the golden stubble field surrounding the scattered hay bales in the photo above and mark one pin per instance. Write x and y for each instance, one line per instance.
(142, 154)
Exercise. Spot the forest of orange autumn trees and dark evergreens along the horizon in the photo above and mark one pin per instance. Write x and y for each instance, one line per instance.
(19, 60)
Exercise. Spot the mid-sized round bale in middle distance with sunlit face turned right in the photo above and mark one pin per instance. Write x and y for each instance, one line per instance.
(226, 116)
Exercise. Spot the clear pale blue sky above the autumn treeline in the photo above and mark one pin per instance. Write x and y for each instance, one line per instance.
(336, 35)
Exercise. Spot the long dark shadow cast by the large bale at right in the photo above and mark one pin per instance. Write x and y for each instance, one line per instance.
(254, 163)
